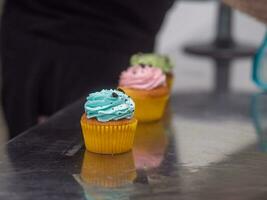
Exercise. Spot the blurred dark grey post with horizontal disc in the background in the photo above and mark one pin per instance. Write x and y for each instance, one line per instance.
(223, 49)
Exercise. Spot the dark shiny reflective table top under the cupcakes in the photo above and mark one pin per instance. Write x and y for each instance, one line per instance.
(207, 146)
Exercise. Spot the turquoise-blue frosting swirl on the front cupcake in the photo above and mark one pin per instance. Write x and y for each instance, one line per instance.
(108, 105)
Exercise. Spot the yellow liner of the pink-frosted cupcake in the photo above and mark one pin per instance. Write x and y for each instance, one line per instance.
(149, 109)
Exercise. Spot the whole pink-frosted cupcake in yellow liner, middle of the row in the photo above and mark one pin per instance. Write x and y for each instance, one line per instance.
(147, 86)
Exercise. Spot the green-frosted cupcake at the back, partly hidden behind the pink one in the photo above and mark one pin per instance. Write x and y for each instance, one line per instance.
(156, 60)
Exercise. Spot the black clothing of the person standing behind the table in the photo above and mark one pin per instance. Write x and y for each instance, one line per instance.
(55, 51)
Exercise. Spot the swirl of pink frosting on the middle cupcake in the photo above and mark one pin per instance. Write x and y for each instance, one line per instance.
(142, 77)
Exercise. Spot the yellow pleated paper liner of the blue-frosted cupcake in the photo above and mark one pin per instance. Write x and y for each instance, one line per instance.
(108, 139)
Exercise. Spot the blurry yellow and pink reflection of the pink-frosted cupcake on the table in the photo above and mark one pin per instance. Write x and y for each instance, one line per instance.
(149, 145)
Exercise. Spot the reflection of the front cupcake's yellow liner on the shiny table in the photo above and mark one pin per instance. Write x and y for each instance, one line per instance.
(108, 170)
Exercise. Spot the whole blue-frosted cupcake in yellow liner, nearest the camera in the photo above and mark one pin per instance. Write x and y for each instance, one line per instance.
(108, 125)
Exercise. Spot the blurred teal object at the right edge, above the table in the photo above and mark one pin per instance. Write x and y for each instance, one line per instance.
(260, 66)
